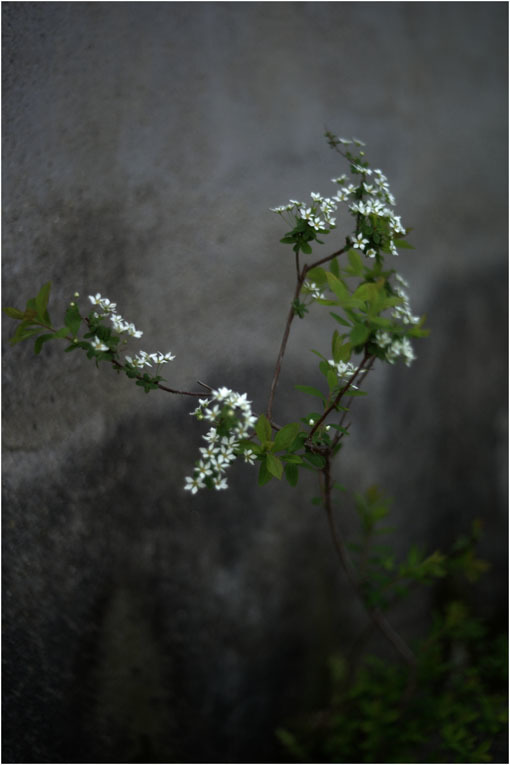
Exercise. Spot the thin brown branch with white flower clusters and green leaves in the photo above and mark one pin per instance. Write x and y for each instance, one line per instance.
(374, 321)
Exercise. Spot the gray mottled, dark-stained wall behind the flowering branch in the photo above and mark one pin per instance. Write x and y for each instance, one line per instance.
(143, 146)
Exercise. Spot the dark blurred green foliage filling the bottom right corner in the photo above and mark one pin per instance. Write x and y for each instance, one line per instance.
(457, 712)
